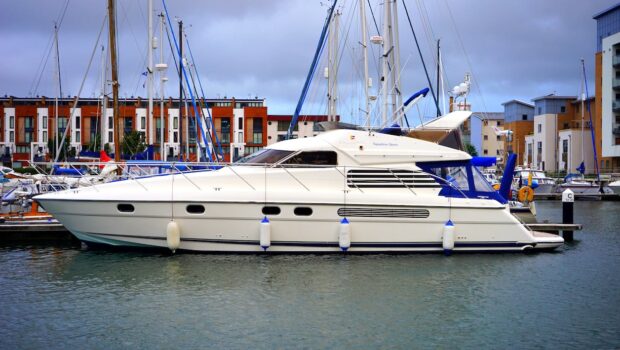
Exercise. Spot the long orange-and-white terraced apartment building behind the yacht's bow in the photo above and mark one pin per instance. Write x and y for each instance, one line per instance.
(28, 124)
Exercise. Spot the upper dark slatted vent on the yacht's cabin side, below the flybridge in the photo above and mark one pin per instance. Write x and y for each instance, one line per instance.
(394, 178)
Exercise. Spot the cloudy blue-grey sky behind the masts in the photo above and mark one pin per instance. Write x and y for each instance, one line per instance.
(512, 49)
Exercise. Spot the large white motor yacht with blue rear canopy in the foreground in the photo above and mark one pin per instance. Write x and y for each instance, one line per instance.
(342, 190)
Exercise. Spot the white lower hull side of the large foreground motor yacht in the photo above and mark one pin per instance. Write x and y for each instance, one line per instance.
(235, 227)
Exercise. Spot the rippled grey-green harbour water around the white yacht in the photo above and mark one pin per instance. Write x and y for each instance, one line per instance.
(67, 297)
